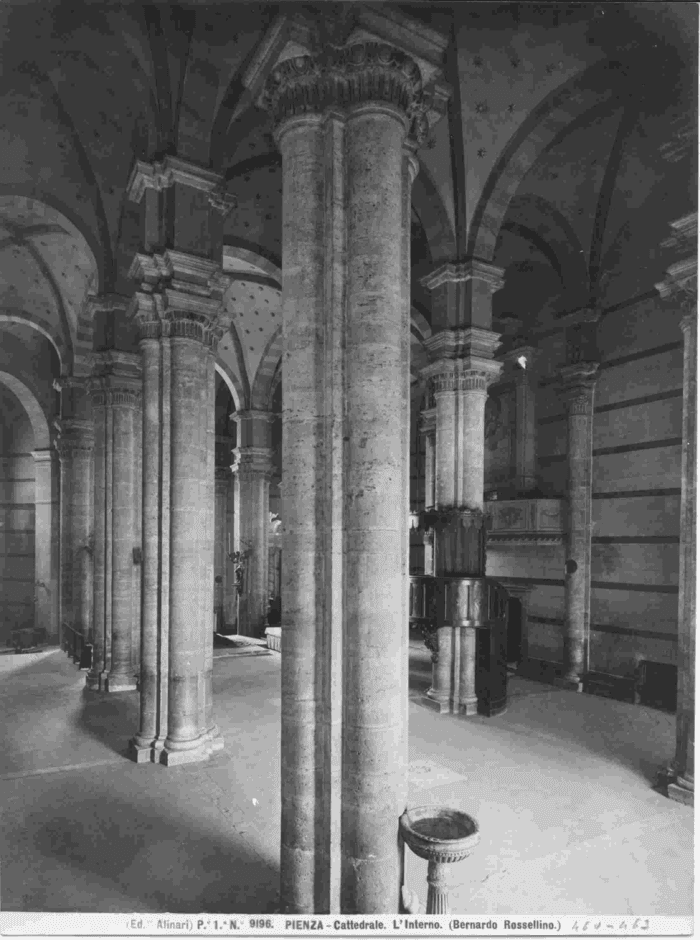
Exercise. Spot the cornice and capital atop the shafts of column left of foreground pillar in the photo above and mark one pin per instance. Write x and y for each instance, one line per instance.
(181, 295)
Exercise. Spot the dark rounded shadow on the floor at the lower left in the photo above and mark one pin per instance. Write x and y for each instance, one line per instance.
(141, 856)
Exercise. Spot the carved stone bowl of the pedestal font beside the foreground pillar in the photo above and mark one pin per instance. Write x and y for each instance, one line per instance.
(438, 834)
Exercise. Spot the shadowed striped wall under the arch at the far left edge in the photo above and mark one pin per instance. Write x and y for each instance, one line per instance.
(16, 517)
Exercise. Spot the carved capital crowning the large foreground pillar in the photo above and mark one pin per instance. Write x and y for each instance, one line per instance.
(347, 76)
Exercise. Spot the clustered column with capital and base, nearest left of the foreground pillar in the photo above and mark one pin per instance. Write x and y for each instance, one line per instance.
(178, 324)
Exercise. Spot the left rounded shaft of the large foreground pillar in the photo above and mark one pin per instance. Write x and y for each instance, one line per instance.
(305, 851)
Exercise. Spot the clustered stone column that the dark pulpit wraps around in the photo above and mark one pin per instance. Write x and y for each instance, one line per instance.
(461, 369)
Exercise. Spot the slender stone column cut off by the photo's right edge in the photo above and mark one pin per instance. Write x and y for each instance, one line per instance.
(680, 286)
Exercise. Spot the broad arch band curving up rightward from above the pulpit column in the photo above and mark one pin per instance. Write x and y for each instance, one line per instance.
(545, 124)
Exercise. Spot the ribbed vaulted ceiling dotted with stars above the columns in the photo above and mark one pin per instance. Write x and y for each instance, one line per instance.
(566, 149)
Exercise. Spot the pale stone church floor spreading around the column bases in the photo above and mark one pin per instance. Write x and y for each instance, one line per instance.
(561, 786)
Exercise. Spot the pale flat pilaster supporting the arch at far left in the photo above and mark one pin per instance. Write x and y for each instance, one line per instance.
(46, 532)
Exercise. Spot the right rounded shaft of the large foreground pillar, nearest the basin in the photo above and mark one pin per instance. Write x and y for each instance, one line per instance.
(376, 369)
